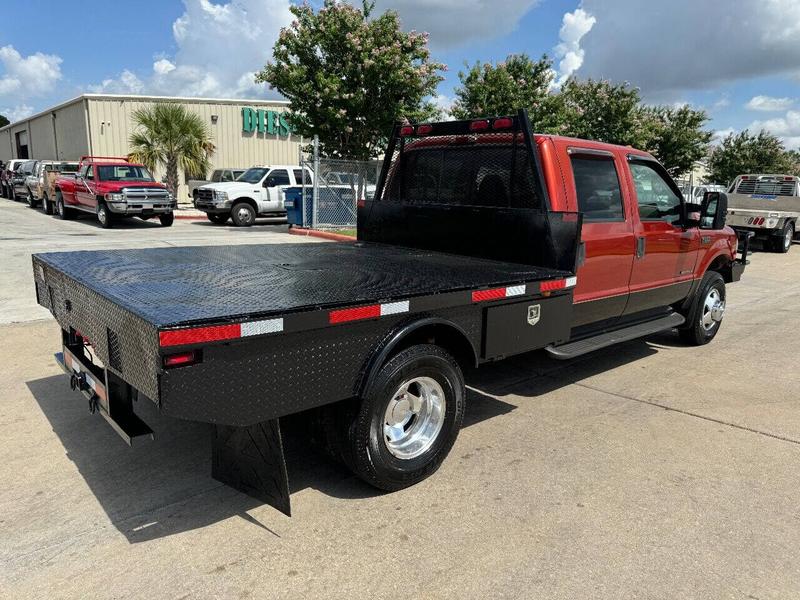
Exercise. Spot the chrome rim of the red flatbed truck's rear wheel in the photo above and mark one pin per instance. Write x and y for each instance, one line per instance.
(414, 417)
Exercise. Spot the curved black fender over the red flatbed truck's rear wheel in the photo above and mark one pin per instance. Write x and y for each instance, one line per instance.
(426, 330)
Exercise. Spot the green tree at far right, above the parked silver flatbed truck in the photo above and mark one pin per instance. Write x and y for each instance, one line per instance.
(747, 152)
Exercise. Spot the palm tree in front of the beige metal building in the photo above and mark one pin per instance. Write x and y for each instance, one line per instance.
(169, 135)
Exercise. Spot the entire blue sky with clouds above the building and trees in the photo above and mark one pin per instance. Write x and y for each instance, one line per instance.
(739, 60)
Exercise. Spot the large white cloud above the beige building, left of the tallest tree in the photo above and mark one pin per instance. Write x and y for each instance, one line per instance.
(220, 47)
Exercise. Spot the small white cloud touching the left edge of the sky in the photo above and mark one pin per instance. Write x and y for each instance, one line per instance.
(28, 76)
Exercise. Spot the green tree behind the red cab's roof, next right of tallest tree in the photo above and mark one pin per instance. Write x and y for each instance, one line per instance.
(502, 89)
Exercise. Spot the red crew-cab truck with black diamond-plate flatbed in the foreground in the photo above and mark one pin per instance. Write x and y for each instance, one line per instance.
(468, 254)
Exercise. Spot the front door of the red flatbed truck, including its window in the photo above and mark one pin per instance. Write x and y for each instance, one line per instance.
(666, 252)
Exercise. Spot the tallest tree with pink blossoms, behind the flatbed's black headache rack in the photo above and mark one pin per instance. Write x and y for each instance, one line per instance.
(350, 77)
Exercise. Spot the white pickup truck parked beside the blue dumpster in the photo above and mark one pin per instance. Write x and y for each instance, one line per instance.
(258, 192)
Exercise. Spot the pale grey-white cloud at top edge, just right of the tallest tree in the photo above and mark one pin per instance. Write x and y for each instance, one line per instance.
(453, 23)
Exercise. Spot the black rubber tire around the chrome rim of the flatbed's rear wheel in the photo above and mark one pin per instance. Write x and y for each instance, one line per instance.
(364, 446)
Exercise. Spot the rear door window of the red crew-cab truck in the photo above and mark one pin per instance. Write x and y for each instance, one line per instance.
(597, 187)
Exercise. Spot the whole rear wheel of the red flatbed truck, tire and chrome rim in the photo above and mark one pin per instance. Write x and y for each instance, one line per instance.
(408, 420)
